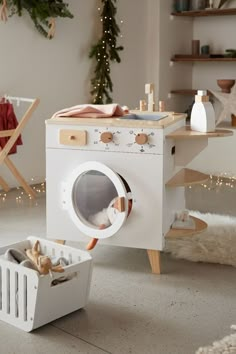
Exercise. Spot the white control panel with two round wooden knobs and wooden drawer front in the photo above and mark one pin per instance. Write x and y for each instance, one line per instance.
(113, 139)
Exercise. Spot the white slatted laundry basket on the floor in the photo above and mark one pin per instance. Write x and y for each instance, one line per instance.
(29, 300)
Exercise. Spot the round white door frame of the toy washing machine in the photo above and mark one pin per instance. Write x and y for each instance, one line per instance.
(94, 232)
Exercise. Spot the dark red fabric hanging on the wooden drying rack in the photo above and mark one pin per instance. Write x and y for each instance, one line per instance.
(8, 121)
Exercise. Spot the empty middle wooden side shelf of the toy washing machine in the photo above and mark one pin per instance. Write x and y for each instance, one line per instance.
(187, 177)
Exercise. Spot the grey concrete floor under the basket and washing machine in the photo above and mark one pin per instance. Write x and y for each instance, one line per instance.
(130, 310)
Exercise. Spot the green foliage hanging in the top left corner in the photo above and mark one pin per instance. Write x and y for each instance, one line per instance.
(42, 12)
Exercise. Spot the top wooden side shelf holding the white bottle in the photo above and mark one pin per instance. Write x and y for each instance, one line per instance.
(187, 133)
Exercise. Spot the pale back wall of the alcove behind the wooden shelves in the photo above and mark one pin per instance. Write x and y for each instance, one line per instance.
(219, 33)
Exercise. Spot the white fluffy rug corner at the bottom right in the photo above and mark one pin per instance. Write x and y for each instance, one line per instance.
(226, 345)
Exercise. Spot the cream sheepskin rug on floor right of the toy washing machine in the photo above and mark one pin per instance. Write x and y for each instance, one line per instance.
(217, 244)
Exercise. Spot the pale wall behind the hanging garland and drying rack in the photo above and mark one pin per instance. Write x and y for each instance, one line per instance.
(58, 71)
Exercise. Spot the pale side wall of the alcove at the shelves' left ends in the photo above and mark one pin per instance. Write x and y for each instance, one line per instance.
(175, 38)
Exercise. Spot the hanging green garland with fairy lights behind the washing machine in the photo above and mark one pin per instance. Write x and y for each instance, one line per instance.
(105, 52)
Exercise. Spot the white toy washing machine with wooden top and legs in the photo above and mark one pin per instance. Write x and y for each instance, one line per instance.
(112, 172)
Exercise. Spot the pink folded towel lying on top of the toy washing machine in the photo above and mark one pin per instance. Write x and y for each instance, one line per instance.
(91, 111)
